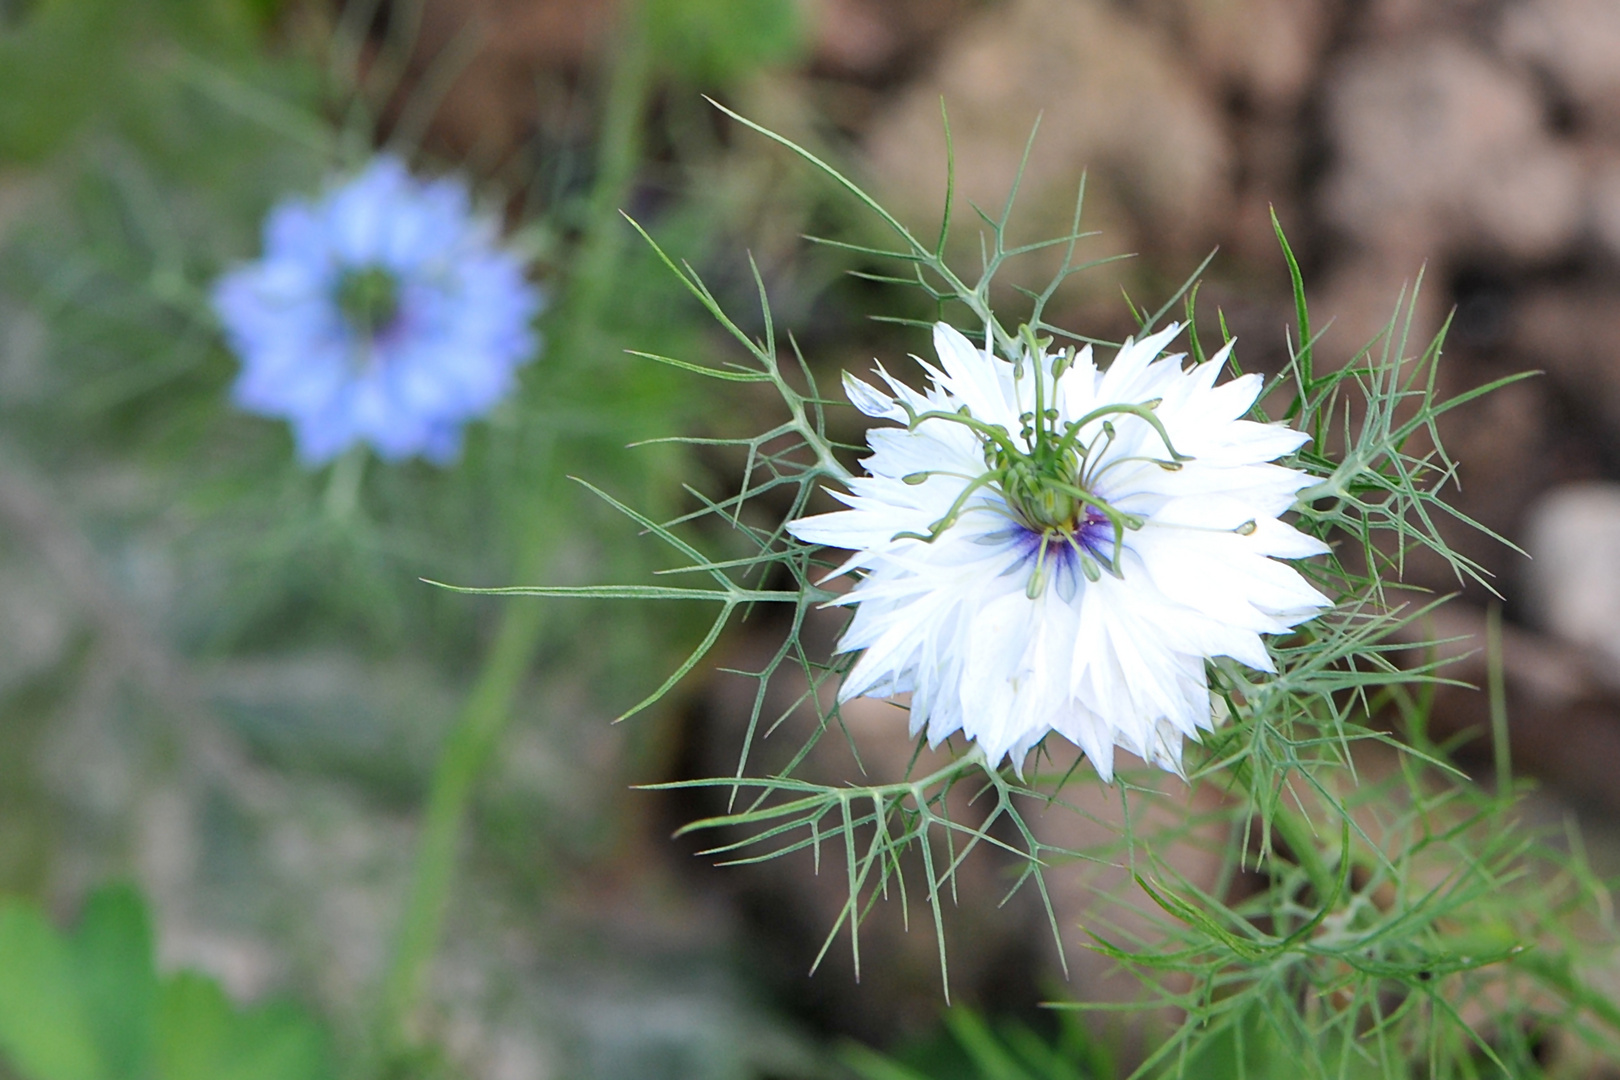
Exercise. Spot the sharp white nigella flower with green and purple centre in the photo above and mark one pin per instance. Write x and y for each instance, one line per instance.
(1052, 548)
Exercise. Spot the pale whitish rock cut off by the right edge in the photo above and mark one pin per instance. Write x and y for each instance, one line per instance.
(1574, 587)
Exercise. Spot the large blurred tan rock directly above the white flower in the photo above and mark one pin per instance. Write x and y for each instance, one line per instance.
(1114, 98)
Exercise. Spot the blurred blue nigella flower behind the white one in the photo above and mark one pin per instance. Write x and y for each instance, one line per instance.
(382, 313)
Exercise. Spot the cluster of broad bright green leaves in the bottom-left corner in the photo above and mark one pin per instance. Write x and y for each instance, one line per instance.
(90, 1006)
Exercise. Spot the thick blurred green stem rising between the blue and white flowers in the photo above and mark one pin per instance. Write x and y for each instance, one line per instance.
(484, 718)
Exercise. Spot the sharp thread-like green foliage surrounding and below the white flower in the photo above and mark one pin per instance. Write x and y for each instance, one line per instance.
(1405, 927)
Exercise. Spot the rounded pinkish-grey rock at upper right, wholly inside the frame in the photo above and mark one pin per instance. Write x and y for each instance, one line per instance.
(1444, 151)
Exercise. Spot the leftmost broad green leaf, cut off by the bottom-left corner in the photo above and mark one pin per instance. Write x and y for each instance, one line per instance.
(43, 1029)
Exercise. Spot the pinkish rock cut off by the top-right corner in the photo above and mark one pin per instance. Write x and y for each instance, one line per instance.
(1577, 43)
